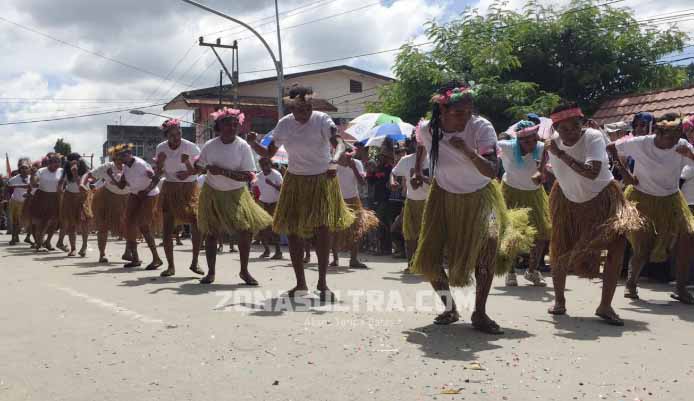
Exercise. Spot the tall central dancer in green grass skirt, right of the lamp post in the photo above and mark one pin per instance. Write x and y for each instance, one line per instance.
(310, 205)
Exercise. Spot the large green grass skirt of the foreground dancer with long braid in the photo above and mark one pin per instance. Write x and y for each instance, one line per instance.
(474, 229)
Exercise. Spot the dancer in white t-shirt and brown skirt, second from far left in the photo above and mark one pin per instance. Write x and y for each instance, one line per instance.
(45, 203)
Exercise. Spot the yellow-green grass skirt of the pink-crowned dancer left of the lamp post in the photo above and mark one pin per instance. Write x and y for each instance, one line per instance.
(229, 212)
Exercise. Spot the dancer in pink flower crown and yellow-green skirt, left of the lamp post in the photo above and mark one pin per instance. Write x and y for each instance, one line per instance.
(226, 206)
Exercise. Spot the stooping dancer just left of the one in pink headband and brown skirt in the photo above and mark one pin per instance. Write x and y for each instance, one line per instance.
(142, 182)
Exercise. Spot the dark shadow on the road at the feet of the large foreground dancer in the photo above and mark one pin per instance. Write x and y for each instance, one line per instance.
(458, 342)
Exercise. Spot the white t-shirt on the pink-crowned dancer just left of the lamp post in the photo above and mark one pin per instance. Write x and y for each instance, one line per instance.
(235, 156)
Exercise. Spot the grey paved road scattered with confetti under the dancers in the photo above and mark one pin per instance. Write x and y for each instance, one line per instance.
(73, 330)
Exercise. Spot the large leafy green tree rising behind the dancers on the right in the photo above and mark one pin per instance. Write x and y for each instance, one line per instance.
(526, 61)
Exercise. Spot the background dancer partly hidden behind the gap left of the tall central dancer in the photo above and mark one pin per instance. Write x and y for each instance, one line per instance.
(269, 183)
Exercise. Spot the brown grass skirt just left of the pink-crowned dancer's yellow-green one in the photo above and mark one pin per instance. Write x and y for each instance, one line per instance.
(181, 200)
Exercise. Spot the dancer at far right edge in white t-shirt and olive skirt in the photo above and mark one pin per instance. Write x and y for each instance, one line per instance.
(669, 226)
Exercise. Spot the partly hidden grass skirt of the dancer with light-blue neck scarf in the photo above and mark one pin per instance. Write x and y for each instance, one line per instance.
(538, 203)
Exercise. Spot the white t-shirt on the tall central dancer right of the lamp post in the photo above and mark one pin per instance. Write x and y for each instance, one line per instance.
(308, 145)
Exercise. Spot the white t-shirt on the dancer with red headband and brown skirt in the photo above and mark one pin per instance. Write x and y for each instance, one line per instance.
(591, 147)
